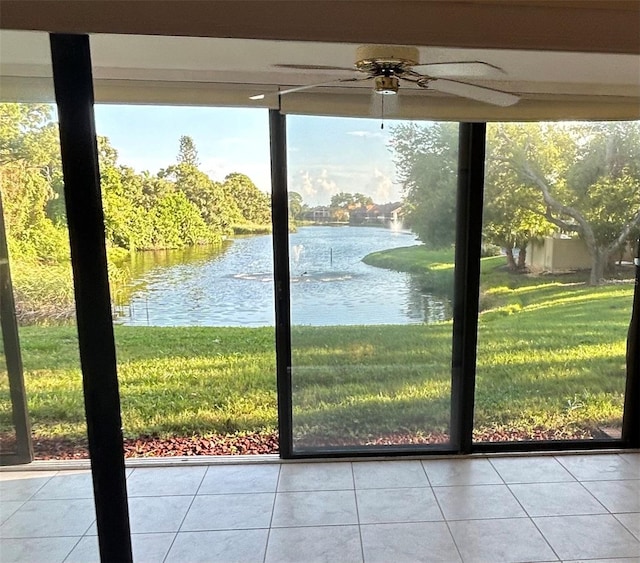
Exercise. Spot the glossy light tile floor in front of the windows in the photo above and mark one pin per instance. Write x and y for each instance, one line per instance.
(542, 508)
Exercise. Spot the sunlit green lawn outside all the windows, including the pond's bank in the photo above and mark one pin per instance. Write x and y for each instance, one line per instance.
(550, 358)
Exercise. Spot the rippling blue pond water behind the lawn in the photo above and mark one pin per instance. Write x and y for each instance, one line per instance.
(233, 285)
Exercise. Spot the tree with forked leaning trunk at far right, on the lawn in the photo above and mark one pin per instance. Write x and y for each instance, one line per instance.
(588, 176)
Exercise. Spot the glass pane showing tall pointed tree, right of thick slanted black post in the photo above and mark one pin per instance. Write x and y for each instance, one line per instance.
(188, 225)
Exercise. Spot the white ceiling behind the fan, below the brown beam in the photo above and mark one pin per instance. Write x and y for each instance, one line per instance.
(247, 66)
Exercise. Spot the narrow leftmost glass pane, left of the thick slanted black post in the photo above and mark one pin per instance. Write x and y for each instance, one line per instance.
(38, 241)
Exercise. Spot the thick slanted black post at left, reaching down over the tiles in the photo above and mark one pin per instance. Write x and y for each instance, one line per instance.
(73, 85)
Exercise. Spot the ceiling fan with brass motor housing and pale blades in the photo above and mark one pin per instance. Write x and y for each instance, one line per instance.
(387, 65)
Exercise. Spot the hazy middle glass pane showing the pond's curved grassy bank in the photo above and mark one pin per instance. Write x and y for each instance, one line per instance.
(370, 303)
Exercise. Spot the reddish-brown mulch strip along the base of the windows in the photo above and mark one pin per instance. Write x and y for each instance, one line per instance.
(266, 443)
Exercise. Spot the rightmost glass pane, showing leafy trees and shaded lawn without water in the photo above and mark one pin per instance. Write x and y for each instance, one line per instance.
(557, 280)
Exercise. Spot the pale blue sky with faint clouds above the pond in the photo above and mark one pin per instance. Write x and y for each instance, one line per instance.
(326, 155)
